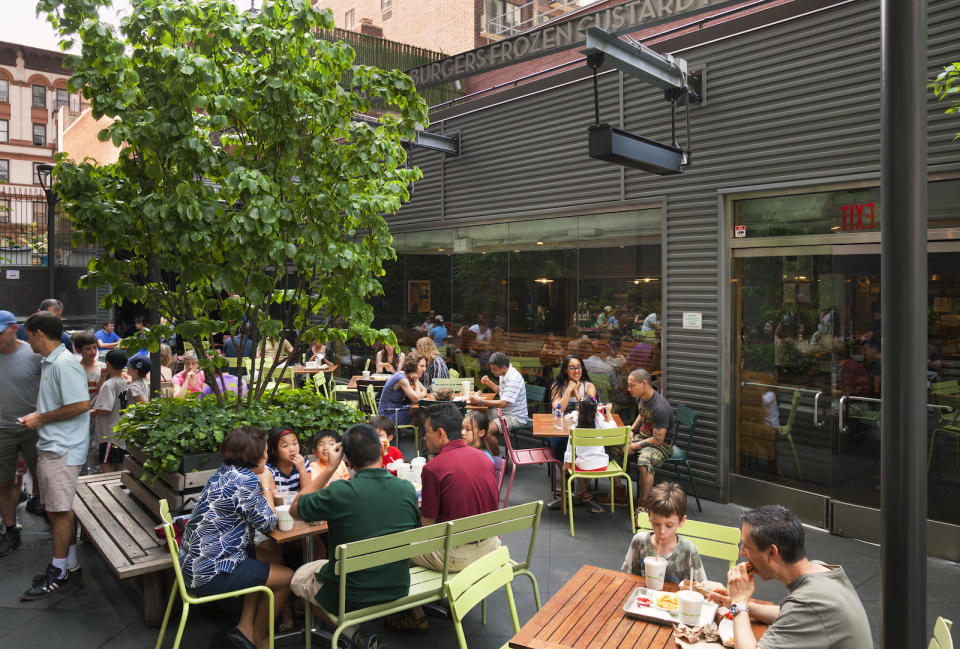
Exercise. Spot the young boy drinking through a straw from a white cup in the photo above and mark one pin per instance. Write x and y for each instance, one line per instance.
(667, 509)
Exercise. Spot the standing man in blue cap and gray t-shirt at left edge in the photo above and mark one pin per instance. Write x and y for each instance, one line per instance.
(19, 383)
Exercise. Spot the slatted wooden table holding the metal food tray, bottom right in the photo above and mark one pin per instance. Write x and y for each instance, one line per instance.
(588, 613)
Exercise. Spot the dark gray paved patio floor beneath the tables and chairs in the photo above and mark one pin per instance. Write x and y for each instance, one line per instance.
(107, 614)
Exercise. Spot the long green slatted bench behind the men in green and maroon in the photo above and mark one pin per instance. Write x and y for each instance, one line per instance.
(426, 585)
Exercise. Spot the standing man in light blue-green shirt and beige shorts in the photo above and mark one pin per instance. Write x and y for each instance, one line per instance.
(62, 422)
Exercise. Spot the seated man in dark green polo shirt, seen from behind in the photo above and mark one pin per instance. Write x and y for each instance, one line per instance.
(372, 503)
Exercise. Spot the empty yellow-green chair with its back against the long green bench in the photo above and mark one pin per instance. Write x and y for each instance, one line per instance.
(475, 583)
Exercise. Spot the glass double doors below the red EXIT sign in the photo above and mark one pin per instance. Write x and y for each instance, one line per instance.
(809, 355)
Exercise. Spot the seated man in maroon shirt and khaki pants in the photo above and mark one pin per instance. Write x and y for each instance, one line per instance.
(458, 482)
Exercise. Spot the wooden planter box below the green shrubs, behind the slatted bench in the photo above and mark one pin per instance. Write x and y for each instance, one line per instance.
(180, 489)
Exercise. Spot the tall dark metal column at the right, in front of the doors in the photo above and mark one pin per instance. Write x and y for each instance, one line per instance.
(903, 197)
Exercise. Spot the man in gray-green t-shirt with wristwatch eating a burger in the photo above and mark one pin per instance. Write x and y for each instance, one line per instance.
(822, 608)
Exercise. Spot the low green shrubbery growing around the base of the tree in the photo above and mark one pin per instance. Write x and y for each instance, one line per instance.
(168, 429)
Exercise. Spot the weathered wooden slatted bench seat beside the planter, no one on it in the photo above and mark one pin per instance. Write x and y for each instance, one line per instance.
(122, 532)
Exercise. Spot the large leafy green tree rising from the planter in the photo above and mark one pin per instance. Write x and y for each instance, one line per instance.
(244, 191)
